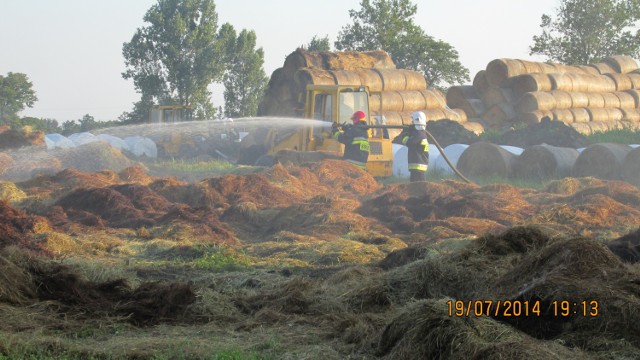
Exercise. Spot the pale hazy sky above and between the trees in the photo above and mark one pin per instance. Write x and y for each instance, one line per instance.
(71, 50)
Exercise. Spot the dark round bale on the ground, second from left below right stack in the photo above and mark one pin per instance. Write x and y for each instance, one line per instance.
(545, 162)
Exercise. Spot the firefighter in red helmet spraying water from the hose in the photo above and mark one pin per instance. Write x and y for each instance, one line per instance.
(355, 139)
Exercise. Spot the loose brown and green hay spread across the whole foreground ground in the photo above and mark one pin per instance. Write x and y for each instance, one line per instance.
(317, 261)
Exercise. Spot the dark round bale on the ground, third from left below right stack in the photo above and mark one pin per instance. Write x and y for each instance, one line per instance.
(603, 161)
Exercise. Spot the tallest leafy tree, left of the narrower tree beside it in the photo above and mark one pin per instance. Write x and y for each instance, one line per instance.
(174, 59)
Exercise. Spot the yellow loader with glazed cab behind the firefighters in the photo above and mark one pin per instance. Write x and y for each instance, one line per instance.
(326, 105)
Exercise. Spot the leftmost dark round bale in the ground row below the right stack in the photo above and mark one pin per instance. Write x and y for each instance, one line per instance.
(483, 160)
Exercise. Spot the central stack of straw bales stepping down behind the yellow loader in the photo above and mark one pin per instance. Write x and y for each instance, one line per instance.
(395, 93)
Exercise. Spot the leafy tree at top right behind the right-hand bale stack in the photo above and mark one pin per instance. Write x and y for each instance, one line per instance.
(586, 31)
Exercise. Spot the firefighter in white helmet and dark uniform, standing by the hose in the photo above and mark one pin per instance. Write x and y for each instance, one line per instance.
(415, 139)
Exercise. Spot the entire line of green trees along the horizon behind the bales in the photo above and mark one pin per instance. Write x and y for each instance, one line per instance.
(182, 50)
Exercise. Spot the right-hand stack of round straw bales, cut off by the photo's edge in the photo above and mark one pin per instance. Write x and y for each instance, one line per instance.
(590, 98)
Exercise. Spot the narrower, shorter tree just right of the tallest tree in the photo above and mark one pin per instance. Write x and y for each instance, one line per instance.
(245, 80)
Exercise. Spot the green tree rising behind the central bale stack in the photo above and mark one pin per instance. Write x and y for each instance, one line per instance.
(388, 25)
